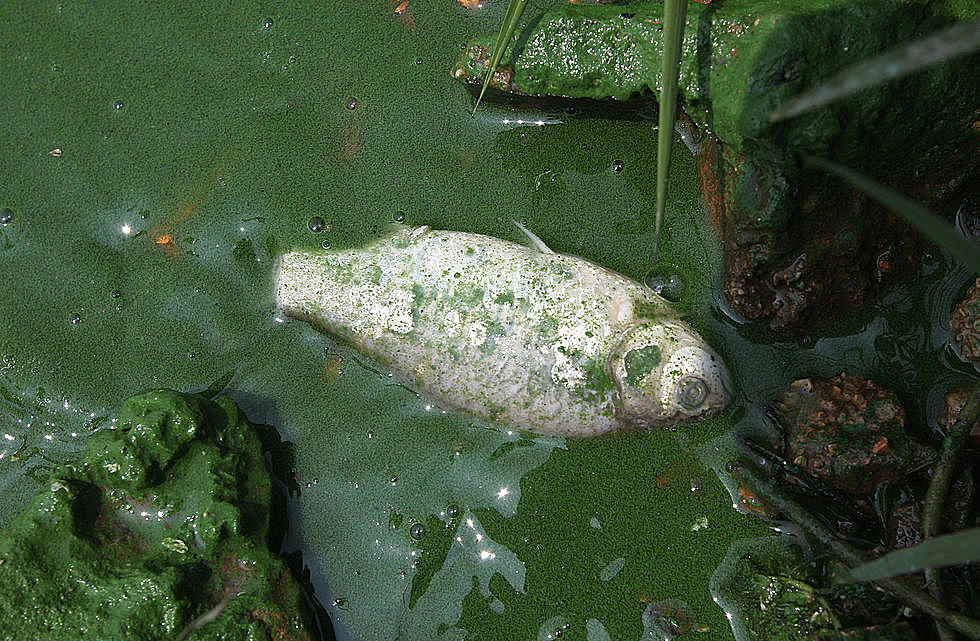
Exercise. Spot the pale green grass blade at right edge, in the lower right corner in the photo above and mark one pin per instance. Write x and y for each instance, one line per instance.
(950, 549)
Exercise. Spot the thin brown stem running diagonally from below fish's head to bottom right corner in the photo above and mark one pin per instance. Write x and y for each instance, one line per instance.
(970, 628)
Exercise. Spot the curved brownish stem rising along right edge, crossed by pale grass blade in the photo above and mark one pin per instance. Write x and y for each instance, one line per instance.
(942, 477)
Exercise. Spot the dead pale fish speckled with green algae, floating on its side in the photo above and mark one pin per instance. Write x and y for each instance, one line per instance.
(519, 336)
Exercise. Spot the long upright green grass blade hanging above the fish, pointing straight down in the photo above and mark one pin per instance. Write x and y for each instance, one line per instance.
(675, 13)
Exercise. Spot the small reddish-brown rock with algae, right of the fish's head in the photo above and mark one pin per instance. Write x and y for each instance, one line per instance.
(848, 432)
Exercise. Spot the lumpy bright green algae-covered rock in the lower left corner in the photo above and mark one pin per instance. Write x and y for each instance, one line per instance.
(161, 528)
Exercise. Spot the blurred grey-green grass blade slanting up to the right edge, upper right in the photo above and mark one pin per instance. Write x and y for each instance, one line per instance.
(956, 40)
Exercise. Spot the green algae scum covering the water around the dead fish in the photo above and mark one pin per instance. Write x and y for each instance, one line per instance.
(157, 159)
